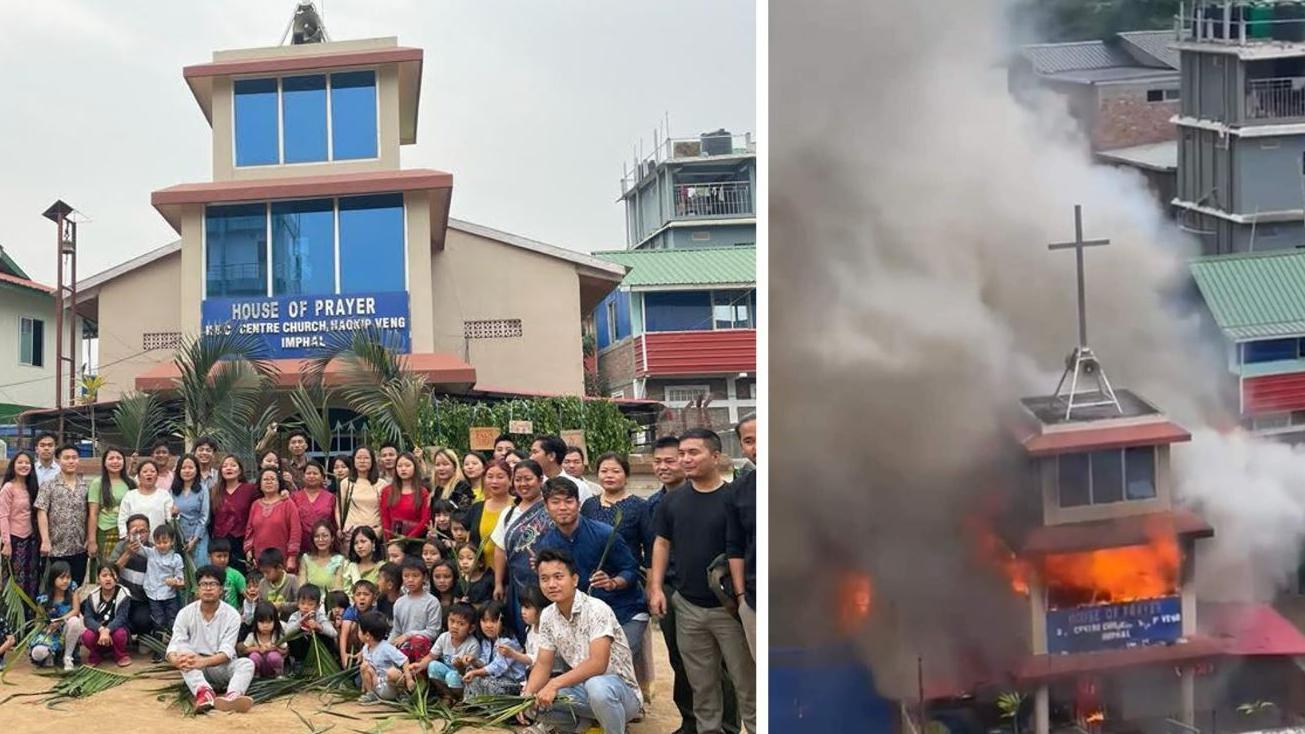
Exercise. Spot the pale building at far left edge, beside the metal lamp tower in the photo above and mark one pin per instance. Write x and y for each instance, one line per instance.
(27, 342)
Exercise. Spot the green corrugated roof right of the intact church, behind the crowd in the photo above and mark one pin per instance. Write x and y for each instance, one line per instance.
(696, 267)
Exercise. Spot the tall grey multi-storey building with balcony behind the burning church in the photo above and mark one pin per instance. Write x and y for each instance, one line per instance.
(1242, 182)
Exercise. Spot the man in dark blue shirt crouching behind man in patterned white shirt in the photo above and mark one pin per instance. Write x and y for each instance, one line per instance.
(618, 583)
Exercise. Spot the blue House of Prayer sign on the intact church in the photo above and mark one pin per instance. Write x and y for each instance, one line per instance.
(301, 326)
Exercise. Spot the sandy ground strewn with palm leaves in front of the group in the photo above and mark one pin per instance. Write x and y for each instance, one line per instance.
(132, 709)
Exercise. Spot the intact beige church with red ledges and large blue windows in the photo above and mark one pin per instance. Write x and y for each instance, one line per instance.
(311, 229)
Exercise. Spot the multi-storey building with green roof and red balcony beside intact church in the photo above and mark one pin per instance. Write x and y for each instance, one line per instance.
(683, 326)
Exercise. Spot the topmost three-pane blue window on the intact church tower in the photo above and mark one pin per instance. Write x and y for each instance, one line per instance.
(303, 120)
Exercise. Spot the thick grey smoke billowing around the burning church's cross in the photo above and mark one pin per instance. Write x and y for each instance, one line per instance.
(915, 302)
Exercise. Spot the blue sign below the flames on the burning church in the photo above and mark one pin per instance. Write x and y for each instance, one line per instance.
(1114, 626)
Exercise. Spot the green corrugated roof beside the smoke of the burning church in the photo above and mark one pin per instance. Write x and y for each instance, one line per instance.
(1255, 296)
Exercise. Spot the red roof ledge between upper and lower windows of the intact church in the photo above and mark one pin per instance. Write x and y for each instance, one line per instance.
(297, 187)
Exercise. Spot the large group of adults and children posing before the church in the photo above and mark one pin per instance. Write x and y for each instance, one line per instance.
(495, 574)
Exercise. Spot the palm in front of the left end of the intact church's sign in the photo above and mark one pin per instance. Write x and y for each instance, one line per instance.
(224, 387)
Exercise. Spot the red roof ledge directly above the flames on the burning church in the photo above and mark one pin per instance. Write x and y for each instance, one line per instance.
(1131, 531)
